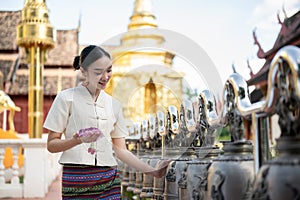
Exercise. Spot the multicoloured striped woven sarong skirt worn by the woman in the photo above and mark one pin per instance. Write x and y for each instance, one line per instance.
(90, 182)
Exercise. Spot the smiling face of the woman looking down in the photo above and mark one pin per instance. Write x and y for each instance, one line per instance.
(99, 73)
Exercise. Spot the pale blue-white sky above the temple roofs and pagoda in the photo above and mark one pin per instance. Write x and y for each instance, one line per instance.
(222, 28)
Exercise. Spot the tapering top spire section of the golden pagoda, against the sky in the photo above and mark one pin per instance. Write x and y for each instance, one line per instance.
(142, 16)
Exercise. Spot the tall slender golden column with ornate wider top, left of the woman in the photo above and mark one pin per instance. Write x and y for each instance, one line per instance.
(35, 34)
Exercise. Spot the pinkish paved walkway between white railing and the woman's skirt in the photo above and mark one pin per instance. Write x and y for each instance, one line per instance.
(54, 192)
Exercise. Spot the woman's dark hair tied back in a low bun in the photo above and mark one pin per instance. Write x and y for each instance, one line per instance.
(89, 55)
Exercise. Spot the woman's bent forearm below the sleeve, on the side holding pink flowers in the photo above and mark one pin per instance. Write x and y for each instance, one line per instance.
(55, 144)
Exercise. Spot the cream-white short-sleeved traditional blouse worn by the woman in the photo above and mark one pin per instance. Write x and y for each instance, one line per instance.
(74, 109)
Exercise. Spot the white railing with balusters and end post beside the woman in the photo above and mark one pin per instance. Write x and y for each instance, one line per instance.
(40, 169)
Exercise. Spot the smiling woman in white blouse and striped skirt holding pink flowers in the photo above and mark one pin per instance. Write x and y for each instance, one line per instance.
(93, 127)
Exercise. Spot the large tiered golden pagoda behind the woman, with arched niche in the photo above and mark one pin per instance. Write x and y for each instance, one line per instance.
(140, 58)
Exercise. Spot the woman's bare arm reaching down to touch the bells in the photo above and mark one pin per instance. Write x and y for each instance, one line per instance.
(131, 160)
